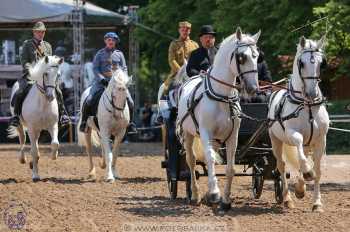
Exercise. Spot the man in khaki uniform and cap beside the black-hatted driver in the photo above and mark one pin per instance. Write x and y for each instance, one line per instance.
(180, 49)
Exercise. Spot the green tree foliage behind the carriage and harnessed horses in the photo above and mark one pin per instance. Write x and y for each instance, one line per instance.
(276, 18)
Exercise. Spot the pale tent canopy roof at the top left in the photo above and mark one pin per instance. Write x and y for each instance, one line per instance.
(19, 11)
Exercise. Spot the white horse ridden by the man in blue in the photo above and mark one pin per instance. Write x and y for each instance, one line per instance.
(113, 118)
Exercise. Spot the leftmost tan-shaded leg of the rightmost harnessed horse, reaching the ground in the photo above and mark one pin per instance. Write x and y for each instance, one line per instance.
(277, 148)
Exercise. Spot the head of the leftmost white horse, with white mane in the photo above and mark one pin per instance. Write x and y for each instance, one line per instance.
(45, 73)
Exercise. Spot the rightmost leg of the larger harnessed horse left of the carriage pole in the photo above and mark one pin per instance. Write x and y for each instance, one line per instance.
(231, 146)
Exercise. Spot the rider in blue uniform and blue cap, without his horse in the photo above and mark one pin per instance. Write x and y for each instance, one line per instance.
(105, 62)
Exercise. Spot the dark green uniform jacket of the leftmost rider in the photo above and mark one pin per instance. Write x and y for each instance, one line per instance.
(31, 52)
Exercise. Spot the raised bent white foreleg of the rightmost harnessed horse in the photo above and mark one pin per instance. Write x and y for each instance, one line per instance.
(297, 139)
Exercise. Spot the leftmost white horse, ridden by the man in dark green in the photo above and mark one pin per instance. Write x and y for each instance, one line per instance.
(39, 110)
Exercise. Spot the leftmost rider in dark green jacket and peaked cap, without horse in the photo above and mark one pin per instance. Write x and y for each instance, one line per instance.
(32, 51)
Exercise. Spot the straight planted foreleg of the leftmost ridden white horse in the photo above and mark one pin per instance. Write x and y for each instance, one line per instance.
(34, 136)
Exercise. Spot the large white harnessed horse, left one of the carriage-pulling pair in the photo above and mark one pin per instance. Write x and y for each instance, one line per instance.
(210, 109)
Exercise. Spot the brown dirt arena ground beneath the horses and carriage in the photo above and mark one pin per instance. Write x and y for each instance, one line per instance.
(65, 201)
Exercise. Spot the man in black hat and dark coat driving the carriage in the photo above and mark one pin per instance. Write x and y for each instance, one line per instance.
(203, 57)
